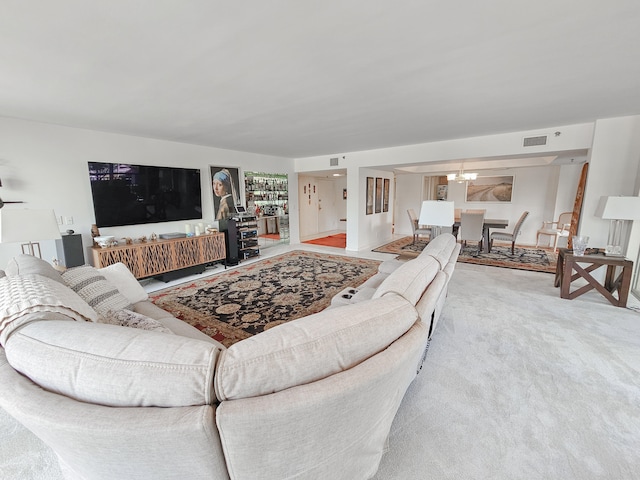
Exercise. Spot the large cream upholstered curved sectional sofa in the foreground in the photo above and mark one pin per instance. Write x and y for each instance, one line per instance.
(313, 398)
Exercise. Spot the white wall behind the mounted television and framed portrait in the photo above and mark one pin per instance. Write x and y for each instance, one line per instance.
(46, 166)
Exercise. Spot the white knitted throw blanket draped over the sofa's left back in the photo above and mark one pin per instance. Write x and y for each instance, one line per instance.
(23, 295)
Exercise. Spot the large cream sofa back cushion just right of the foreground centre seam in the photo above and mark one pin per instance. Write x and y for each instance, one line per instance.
(311, 348)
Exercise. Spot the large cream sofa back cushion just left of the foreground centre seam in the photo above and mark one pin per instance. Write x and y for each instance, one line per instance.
(115, 366)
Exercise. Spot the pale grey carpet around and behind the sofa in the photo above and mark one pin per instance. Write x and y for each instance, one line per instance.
(517, 384)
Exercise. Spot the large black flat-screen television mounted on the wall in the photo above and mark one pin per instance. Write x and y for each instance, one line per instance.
(125, 194)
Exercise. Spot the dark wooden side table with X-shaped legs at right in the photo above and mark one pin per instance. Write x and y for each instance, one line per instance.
(568, 262)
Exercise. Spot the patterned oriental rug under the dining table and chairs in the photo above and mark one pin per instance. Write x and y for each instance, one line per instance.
(524, 258)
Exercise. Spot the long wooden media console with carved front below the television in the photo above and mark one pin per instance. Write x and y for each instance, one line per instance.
(166, 259)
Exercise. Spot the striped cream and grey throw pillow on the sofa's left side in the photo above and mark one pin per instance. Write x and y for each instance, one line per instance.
(94, 288)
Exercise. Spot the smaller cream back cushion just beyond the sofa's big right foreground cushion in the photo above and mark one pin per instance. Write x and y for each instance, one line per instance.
(410, 280)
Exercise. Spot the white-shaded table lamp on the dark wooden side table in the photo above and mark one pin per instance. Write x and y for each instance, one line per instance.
(619, 210)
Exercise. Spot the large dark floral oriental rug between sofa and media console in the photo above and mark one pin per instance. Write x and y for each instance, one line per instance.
(247, 300)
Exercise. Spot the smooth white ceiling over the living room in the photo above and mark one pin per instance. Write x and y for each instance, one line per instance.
(299, 78)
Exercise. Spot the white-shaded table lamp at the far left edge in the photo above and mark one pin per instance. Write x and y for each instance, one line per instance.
(28, 226)
